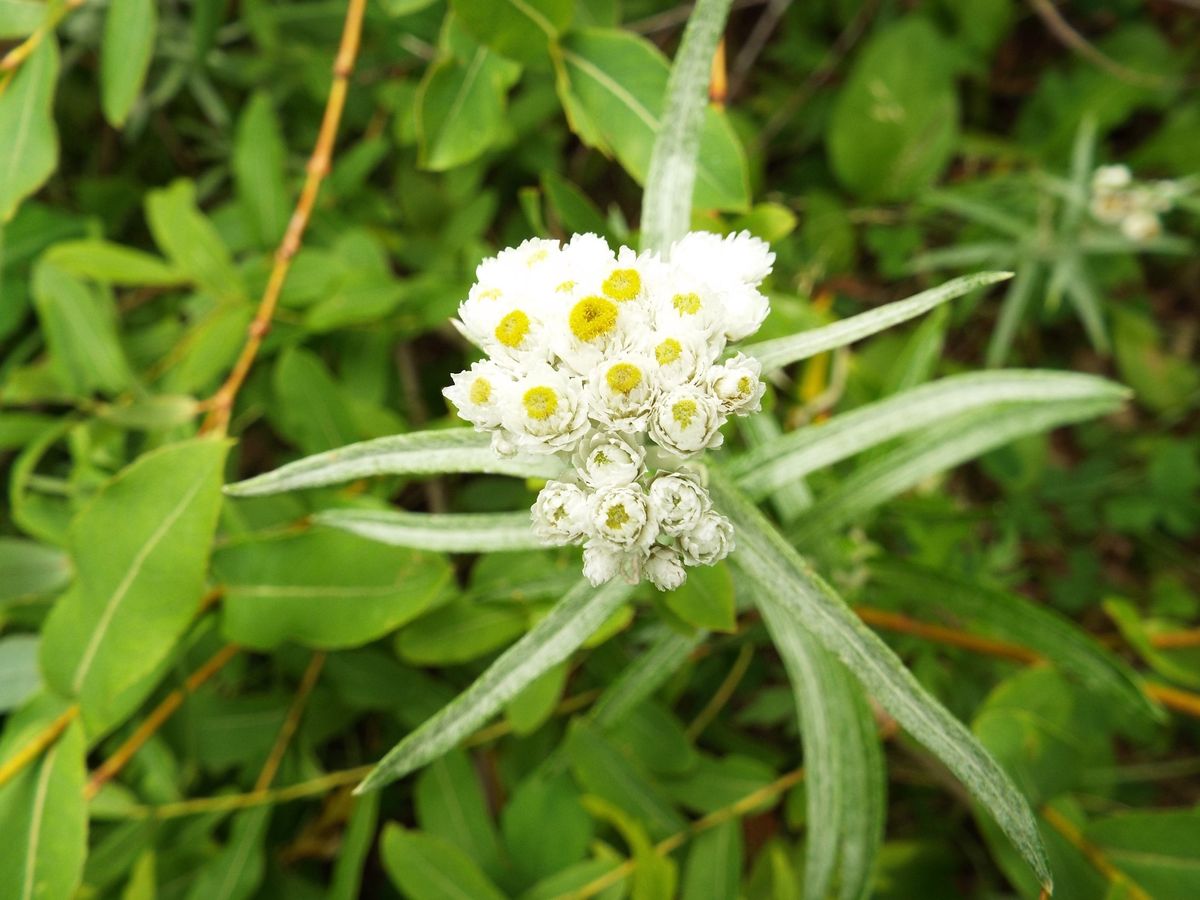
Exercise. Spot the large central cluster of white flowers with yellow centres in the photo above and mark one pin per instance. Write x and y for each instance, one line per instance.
(593, 353)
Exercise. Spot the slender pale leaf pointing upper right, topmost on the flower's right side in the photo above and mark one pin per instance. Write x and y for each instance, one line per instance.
(783, 351)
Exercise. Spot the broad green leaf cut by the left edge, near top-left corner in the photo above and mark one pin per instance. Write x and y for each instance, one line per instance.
(29, 152)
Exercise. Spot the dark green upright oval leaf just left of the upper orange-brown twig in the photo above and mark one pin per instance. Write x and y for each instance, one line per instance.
(260, 167)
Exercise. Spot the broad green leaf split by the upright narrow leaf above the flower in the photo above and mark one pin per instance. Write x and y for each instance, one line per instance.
(614, 85)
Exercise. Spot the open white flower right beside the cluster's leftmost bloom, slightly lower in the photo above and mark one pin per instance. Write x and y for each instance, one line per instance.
(547, 412)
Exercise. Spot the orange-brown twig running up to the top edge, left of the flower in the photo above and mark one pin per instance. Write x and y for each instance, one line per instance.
(221, 404)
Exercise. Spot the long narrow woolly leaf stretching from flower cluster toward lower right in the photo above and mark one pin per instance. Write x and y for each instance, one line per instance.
(789, 583)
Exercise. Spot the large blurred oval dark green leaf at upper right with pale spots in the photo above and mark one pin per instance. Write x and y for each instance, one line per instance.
(896, 122)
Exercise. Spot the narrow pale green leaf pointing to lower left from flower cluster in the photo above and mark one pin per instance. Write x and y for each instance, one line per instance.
(551, 641)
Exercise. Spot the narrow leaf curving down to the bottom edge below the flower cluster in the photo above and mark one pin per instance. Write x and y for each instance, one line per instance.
(843, 763)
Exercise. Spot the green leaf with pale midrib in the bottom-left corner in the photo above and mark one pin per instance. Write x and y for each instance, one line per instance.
(45, 819)
